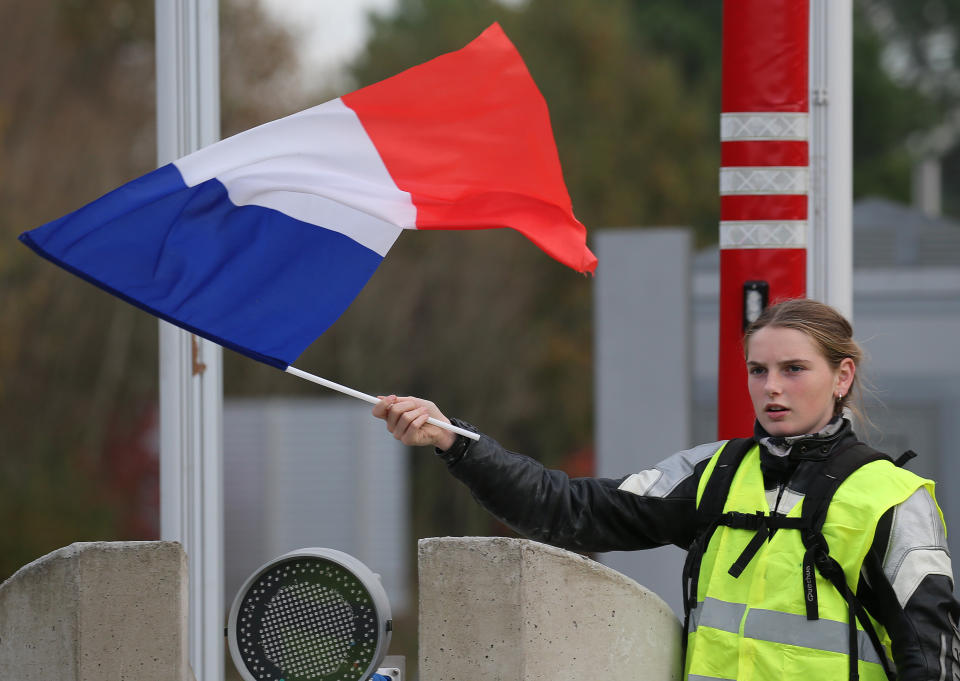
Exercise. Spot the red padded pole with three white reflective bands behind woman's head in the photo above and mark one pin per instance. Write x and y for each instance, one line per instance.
(764, 179)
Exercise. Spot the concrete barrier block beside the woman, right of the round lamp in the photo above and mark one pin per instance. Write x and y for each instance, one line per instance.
(498, 609)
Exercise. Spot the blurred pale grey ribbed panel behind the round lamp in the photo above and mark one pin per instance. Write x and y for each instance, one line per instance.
(314, 472)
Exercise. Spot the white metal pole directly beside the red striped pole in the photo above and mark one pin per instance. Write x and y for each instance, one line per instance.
(830, 249)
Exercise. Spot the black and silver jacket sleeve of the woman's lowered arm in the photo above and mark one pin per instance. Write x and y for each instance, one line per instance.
(910, 582)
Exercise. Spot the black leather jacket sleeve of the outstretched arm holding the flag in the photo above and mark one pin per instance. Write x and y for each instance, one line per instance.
(582, 514)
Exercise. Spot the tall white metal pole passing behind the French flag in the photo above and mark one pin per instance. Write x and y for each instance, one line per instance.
(191, 378)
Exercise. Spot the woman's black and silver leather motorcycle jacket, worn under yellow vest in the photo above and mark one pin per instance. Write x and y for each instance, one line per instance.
(906, 584)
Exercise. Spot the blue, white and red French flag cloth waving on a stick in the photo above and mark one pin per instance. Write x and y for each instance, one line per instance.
(259, 242)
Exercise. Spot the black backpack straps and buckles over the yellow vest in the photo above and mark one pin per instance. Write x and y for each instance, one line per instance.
(832, 473)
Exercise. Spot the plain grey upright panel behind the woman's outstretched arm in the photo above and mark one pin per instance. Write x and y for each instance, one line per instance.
(642, 325)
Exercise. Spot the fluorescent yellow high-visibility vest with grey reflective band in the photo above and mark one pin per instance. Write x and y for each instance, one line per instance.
(754, 627)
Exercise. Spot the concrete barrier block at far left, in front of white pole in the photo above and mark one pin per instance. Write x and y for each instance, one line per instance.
(97, 610)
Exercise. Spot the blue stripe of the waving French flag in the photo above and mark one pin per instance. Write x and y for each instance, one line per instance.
(249, 278)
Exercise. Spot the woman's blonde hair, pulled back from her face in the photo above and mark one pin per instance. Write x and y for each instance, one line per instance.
(828, 329)
